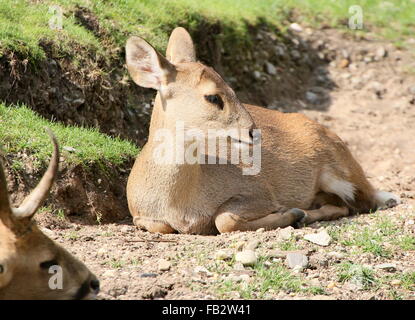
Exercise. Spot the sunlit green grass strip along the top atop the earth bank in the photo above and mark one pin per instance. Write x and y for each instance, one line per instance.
(23, 25)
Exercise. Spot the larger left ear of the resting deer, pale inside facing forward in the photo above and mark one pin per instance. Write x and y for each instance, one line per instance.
(146, 66)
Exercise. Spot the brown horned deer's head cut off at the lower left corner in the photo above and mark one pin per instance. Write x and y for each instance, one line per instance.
(27, 255)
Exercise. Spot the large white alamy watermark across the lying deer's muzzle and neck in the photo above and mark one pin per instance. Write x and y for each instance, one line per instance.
(216, 146)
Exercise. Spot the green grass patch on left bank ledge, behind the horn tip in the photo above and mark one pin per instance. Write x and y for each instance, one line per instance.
(22, 130)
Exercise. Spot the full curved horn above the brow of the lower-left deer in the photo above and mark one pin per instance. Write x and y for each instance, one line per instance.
(35, 199)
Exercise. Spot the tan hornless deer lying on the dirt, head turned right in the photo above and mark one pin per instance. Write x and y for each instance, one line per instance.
(307, 172)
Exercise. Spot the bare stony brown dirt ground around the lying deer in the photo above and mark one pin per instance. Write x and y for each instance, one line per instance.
(372, 108)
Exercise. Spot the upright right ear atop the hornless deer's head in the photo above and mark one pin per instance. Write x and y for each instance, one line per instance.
(180, 47)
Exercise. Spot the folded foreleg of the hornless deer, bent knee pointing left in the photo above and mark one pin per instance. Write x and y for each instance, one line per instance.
(228, 221)
